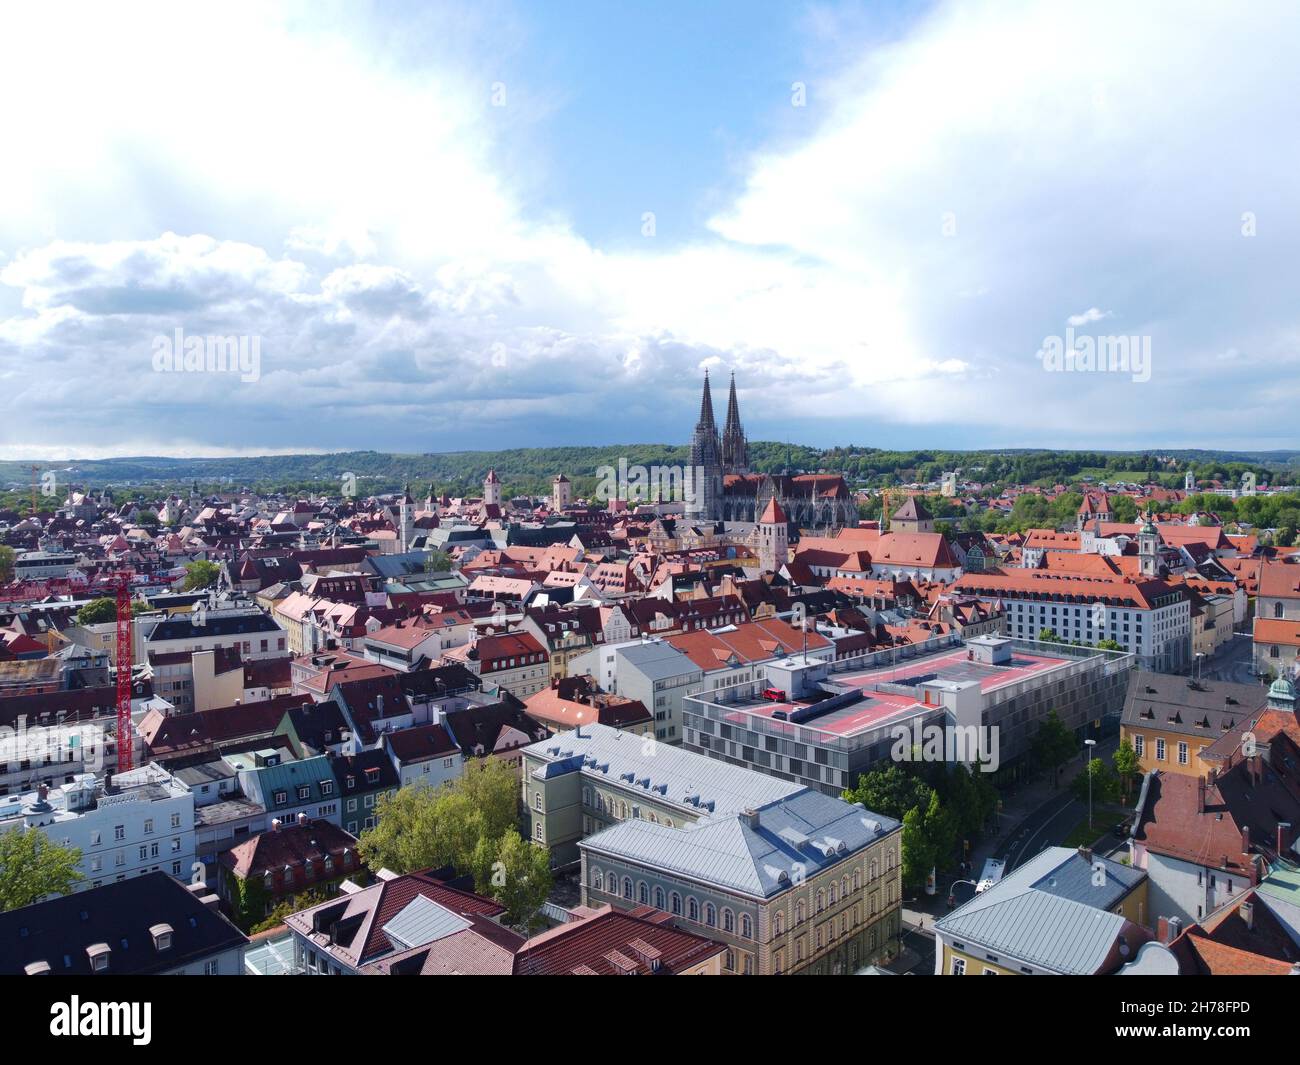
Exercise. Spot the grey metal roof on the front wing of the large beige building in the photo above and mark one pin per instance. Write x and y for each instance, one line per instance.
(795, 838)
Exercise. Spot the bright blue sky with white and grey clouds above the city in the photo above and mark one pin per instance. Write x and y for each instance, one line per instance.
(444, 227)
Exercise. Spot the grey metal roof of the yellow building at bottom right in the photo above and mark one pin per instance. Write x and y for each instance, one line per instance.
(1047, 914)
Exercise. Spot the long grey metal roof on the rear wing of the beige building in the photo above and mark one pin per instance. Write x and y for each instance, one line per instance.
(661, 772)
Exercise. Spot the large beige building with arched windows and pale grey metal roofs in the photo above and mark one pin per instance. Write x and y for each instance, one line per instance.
(790, 880)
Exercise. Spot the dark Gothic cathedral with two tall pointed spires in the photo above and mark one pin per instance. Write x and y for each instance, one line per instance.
(727, 491)
